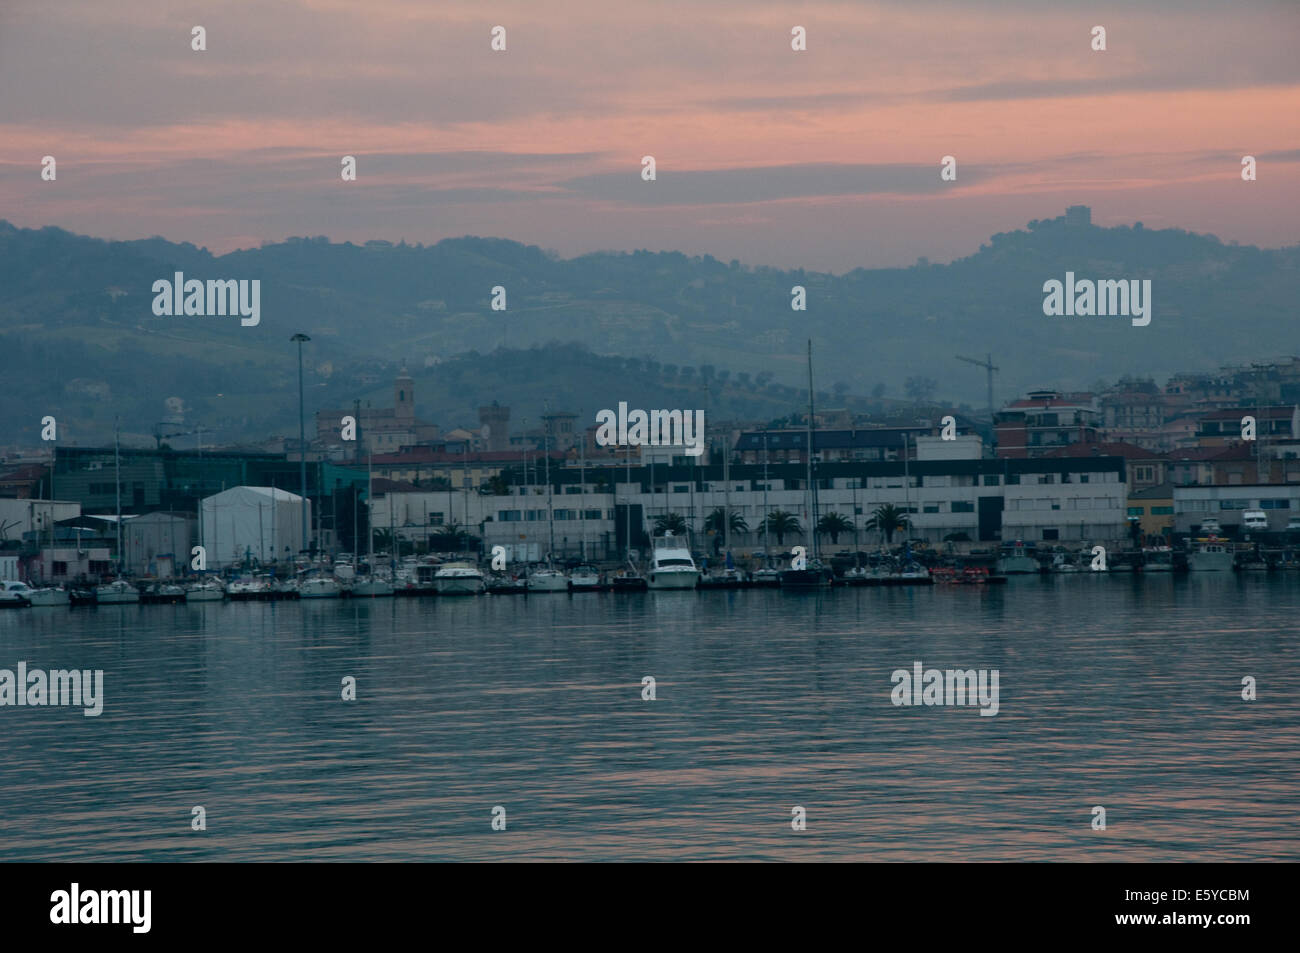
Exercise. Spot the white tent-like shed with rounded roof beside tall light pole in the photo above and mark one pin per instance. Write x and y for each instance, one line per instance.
(259, 522)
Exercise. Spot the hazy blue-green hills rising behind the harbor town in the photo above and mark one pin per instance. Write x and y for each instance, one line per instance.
(80, 339)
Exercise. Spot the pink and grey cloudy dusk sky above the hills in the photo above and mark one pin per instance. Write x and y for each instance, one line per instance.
(826, 159)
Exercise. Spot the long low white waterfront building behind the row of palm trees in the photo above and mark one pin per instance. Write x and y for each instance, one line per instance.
(1067, 501)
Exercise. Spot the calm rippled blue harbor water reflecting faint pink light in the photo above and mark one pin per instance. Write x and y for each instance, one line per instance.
(1116, 691)
